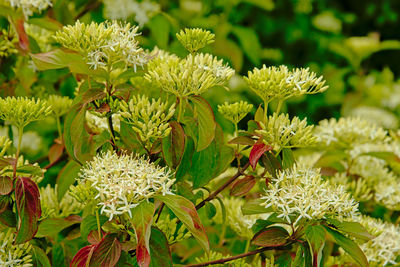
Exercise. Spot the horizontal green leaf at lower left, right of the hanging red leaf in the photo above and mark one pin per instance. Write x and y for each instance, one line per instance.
(52, 226)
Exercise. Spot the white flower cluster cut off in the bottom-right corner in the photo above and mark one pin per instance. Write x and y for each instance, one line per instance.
(384, 249)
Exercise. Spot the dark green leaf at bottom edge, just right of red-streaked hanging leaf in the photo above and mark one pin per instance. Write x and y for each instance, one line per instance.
(159, 249)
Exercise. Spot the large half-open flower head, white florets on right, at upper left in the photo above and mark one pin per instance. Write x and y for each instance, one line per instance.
(104, 44)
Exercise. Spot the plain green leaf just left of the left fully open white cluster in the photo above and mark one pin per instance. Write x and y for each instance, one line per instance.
(67, 177)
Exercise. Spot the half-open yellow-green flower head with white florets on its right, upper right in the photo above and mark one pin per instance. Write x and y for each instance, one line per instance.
(280, 83)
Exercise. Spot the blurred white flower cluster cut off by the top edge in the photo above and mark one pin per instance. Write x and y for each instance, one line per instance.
(122, 9)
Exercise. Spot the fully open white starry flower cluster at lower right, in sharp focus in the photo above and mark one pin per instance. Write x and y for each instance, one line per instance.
(301, 193)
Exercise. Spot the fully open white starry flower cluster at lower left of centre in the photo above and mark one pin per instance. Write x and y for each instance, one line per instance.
(123, 181)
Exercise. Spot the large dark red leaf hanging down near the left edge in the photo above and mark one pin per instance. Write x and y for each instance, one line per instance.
(27, 198)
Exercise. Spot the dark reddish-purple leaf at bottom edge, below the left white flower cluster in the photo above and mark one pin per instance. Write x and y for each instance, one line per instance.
(106, 253)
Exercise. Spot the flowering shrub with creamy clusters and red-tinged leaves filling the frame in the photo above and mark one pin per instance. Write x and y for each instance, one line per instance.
(117, 149)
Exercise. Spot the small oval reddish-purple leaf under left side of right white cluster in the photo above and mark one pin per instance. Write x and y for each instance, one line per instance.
(271, 237)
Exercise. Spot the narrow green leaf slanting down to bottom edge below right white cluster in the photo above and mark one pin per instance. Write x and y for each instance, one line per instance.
(349, 246)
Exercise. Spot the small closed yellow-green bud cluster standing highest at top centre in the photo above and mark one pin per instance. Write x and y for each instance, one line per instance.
(195, 39)
